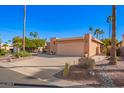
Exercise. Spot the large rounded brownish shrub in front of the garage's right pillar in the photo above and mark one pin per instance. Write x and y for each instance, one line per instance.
(86, 63)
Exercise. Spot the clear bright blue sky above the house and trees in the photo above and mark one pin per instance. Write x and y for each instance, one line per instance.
(57, 21)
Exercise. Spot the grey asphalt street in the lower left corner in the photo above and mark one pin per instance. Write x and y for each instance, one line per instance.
(12, 79)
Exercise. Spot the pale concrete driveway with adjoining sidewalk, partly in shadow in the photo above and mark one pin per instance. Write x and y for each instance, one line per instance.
(43, 67)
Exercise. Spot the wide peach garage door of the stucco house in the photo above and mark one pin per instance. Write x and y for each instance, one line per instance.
(70, 48)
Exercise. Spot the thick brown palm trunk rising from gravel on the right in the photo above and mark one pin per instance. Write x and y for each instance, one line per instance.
(113, 43)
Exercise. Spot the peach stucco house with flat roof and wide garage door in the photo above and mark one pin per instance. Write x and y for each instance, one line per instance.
(77, 46)
